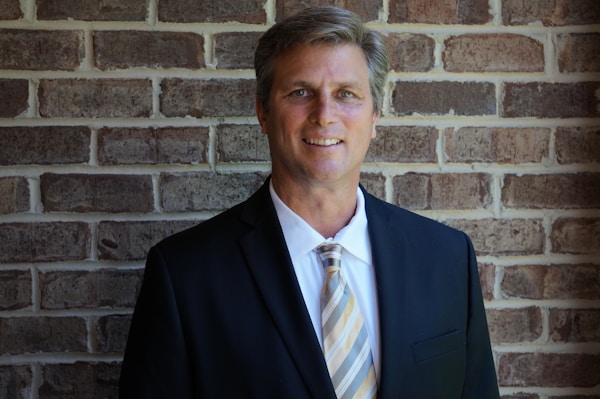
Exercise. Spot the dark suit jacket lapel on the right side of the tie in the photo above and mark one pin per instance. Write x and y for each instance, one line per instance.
(389, 253)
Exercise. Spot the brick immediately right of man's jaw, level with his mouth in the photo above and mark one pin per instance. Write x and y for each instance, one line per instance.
(404, 144)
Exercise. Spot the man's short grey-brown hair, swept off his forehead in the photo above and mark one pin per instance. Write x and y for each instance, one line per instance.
(321, 25)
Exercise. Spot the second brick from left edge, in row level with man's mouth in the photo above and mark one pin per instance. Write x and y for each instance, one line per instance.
(122, 146)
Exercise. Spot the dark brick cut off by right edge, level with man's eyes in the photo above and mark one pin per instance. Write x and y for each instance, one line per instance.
(551, 100)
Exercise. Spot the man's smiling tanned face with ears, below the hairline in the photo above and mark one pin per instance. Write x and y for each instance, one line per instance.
(320, 119)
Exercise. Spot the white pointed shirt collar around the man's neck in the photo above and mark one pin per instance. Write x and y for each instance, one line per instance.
(301, 238)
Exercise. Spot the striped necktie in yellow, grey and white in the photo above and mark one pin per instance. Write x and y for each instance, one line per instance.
(345, 341)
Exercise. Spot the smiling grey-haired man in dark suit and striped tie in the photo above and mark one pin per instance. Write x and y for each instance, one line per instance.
(232, 307)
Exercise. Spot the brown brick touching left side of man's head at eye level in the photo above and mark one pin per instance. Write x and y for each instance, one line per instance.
(208, 98)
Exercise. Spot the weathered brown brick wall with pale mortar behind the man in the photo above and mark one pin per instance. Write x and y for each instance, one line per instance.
(123, 122)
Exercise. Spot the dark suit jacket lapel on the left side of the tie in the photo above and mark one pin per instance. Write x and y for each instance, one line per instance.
(269, 262)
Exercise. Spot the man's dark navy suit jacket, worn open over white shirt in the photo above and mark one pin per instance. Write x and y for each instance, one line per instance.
(220, 313)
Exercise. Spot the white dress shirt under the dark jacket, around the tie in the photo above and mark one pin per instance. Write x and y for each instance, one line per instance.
(357, 266)
